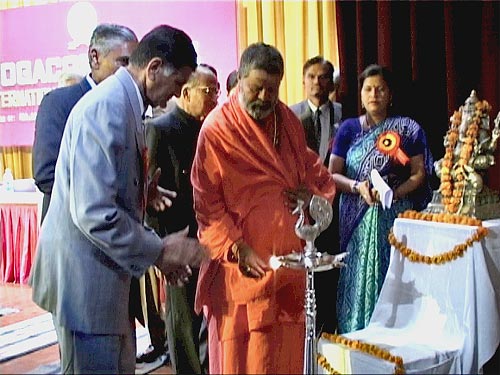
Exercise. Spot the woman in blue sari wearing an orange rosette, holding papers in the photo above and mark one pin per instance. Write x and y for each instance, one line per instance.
(362, 144)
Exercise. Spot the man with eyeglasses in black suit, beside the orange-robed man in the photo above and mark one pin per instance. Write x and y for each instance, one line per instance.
(171, 140)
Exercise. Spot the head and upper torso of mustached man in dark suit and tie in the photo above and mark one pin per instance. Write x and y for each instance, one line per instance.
(317, 78)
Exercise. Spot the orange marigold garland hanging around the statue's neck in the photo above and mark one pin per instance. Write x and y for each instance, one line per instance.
(452, 185)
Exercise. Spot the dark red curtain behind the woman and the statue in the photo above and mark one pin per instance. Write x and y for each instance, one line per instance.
(438, 51)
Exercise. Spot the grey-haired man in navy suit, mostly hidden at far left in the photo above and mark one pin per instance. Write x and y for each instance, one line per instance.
(109, 48)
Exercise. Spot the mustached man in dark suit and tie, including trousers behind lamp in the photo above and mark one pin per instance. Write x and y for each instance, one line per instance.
(317, 78)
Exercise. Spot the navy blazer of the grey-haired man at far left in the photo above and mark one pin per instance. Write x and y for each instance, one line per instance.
(49, 127)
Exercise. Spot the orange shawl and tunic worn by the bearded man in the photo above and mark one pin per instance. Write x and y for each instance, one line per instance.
(238, 179)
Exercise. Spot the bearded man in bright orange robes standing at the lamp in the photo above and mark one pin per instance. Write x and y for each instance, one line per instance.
(251, 167)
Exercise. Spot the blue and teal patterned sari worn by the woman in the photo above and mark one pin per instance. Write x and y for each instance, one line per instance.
(364, 229)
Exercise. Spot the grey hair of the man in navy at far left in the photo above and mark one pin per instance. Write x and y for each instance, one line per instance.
(108, 36)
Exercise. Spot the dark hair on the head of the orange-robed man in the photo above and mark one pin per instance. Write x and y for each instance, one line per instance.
(261, 56)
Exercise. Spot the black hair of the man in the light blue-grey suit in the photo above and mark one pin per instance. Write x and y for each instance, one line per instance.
(173, 46)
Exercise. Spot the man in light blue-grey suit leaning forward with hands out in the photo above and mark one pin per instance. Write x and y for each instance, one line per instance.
(93, 240)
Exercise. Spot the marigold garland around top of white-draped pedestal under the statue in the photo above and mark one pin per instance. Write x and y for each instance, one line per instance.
(458, 251)
